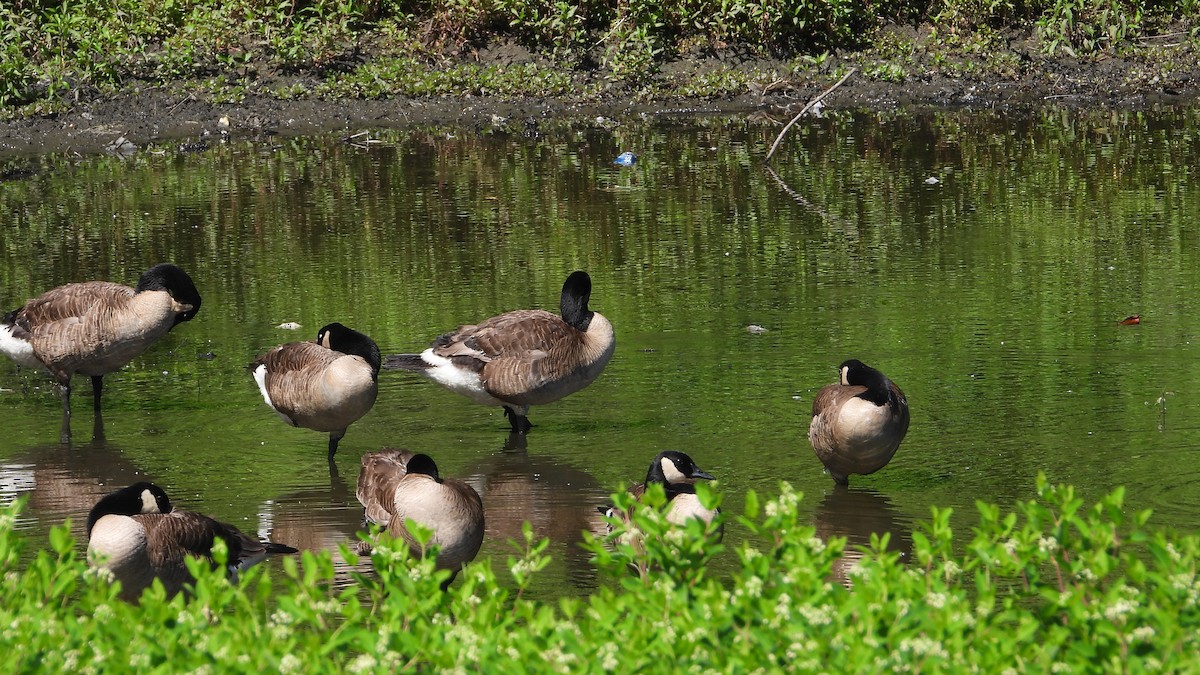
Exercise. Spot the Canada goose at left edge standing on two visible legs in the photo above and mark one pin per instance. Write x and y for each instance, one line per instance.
(97, 327)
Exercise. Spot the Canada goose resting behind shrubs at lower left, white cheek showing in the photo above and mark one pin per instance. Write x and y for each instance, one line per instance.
(139, 537)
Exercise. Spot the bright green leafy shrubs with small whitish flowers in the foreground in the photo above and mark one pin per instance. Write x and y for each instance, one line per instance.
(1054, 587)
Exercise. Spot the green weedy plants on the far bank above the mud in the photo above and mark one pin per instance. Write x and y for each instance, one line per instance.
(56, 53)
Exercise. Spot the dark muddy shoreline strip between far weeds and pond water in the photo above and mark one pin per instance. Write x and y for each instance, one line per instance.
(154, 117)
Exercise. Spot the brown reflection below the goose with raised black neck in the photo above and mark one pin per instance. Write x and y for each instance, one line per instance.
(559, 501)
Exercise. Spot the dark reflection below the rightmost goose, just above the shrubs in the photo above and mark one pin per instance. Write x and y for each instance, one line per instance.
(857, 513)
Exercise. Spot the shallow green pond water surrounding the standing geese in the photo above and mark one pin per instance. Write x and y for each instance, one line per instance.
(981, 261)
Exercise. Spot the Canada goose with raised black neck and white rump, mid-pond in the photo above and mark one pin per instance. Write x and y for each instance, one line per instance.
(521, 359)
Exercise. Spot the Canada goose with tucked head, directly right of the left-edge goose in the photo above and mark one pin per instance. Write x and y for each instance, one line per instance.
(325, 386)
